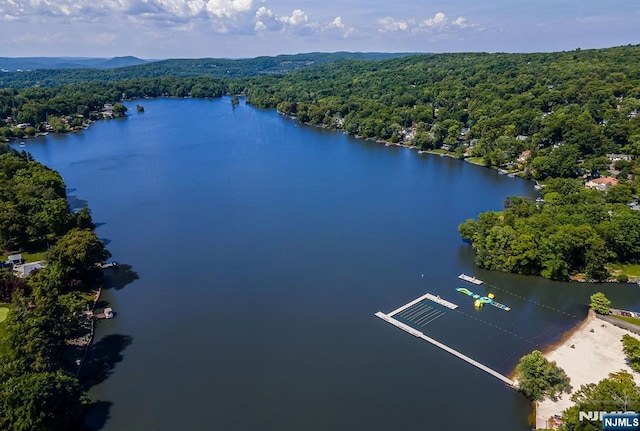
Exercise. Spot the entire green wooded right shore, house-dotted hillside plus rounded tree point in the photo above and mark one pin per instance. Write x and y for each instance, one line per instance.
(570, 115)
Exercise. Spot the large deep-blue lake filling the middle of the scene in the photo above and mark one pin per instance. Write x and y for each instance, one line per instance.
(259, 251)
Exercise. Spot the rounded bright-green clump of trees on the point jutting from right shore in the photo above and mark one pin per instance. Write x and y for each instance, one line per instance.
(573, 231)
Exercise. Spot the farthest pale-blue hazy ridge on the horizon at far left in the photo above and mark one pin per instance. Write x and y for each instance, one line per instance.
(13, 64)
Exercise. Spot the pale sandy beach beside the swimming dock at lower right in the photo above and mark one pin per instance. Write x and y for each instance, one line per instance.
(594, 356)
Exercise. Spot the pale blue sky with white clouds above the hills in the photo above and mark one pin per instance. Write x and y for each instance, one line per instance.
(158, 29)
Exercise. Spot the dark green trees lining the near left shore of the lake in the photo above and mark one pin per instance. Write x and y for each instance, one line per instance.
(39, 387)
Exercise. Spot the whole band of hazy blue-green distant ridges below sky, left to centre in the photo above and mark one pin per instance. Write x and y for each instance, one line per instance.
(74, 70)
